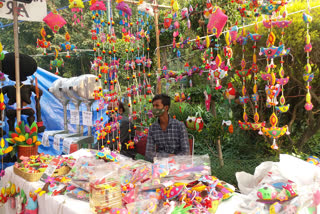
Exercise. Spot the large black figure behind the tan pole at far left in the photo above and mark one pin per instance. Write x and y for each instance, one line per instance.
(28, 67)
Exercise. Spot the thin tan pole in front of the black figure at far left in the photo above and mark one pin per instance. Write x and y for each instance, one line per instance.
(17, 63)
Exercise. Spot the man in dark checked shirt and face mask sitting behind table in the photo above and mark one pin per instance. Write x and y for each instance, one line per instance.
(166, 137)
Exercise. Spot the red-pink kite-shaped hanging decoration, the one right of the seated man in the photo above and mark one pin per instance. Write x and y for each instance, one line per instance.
(216, 22)
